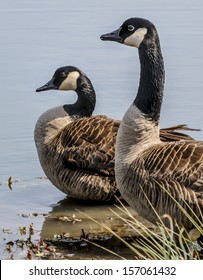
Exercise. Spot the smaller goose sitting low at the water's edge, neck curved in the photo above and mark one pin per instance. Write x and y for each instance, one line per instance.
(76, 149)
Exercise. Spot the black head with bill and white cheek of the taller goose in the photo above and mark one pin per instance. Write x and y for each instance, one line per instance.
(133, 32)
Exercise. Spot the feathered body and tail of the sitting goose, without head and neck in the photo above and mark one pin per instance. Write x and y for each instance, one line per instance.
(78, 154)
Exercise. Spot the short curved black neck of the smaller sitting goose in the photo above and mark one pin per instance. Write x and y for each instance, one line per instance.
(85, 104)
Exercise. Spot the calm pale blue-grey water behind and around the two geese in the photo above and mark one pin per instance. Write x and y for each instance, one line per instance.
(39, 36)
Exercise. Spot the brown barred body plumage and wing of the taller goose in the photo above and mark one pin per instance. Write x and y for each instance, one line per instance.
(162, 173)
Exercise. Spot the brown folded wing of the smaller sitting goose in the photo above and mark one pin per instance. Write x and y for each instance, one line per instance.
(89, 145)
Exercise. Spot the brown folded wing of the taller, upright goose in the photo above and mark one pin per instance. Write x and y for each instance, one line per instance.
(179, 161)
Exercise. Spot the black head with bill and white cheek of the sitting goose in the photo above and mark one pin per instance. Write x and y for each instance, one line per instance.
(64, 78)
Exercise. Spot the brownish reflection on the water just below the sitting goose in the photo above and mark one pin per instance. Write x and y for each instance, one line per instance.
(69, 217)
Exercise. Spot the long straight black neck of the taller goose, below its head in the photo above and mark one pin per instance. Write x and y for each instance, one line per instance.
(150, 92)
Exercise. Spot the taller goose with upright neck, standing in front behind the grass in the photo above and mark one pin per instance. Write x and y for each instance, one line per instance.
(146, 168)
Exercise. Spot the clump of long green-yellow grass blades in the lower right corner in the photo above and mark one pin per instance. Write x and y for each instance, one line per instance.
(161, 243)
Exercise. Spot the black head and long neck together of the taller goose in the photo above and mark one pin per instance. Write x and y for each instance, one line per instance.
(142, 34)
